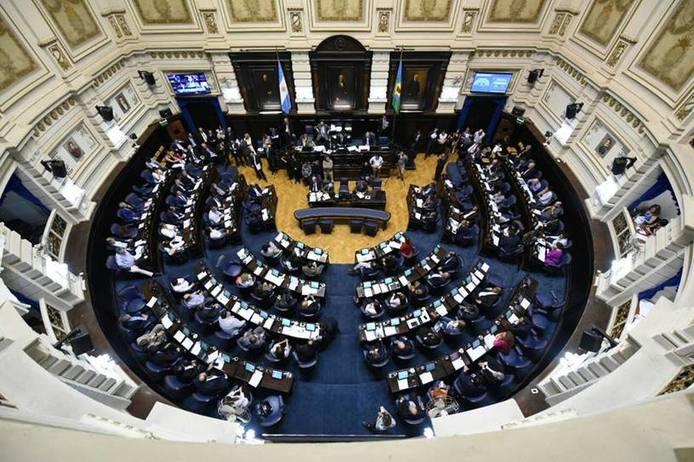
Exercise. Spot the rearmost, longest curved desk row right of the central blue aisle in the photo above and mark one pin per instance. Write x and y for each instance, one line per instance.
(440, 368)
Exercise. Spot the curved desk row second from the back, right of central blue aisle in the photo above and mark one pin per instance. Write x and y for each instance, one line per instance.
(432, 311)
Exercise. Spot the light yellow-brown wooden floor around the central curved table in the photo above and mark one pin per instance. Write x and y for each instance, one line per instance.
(341, 244)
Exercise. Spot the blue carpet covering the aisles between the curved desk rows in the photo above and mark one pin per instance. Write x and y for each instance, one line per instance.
(343, 391)
